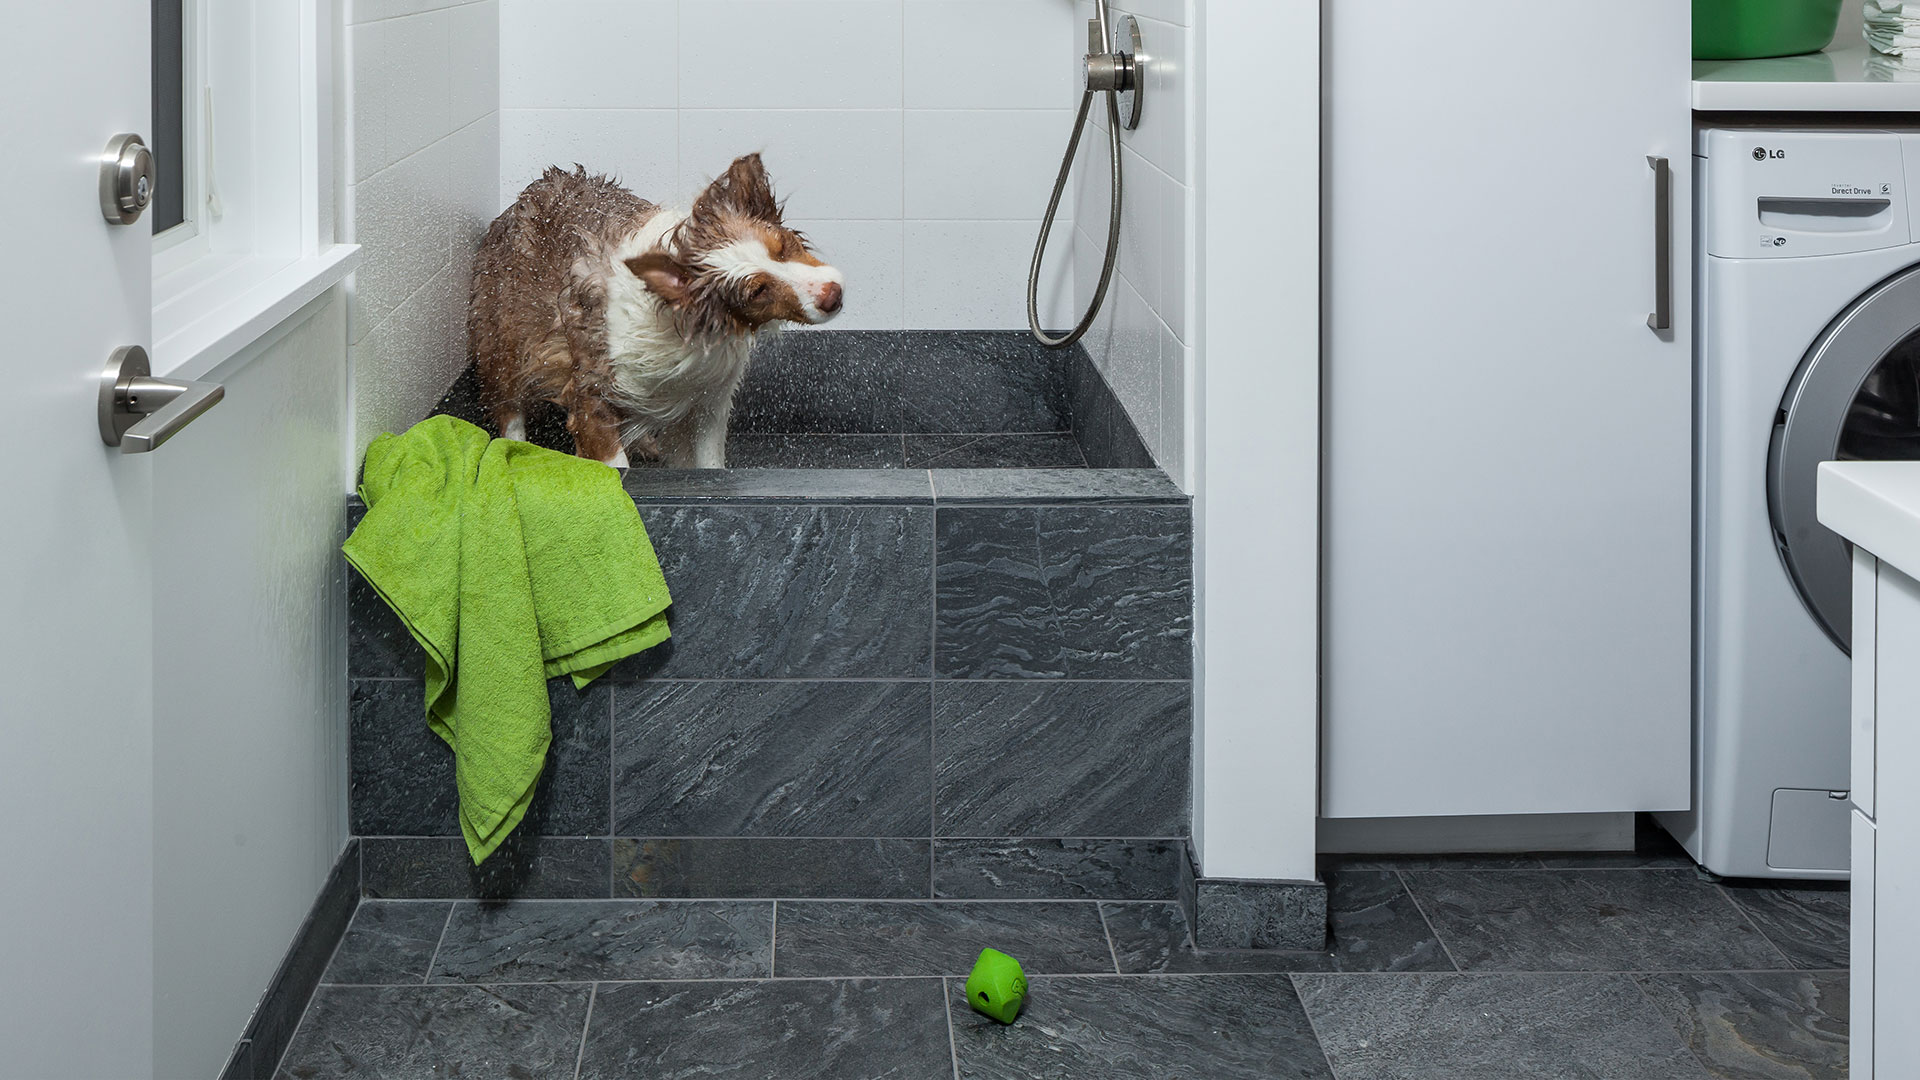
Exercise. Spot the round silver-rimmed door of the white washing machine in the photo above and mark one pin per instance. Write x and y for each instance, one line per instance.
(1854, 399)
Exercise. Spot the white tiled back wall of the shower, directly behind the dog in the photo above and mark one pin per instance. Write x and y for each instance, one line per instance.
(915, 139)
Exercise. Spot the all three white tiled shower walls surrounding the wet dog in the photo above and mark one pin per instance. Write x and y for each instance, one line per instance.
(913, 139)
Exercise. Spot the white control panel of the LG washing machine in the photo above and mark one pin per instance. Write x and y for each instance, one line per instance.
(1781, 195)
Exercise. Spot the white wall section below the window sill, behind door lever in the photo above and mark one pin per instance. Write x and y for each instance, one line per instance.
(249, 683)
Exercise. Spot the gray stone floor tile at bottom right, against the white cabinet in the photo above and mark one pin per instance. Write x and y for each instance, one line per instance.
(1760, 1025)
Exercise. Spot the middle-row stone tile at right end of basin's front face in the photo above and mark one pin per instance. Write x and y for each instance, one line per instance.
(1063, 758)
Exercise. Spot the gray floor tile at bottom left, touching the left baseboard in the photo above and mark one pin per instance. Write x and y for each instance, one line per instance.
(404, 1033)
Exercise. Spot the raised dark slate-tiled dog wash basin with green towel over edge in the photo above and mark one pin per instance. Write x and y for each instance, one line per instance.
(888, 677)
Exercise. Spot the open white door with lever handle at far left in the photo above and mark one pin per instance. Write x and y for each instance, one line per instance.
(76, 579)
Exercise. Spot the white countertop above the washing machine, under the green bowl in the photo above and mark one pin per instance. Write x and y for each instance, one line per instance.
(1838, 80)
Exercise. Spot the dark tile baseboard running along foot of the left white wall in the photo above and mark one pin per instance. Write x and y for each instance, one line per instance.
(272, 1027)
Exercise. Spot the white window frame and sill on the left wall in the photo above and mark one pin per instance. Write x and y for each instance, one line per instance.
(260, 87)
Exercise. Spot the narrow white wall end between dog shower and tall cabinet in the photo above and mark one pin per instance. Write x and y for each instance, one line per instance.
(1259, 439)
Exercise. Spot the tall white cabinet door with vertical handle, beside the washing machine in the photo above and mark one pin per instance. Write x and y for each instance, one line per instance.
(1508, 441)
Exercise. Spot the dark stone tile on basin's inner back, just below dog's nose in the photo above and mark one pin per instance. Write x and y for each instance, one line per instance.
(823, 381)
